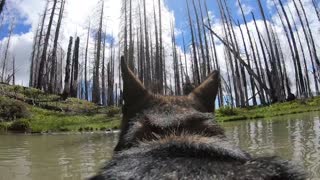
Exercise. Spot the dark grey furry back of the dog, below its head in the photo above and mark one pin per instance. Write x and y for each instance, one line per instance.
(191, 160)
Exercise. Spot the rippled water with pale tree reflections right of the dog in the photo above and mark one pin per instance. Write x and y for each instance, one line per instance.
(294, 137)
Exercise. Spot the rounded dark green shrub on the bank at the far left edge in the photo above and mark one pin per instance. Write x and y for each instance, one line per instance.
(12, 109)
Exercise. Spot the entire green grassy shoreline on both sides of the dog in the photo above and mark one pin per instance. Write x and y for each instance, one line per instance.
(31, 110)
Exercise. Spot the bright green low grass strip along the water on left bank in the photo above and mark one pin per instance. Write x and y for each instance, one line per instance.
(41, 120)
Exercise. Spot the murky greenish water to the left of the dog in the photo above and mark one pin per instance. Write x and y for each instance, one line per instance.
(53, 156)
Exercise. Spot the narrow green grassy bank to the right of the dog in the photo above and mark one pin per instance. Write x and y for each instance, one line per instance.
(278, 109)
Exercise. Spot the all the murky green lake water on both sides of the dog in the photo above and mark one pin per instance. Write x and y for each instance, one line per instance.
(38, 157)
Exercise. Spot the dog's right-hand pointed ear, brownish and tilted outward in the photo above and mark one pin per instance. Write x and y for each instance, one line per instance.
(205, 94)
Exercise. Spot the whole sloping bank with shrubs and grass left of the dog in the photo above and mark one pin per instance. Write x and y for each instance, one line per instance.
(31, 110)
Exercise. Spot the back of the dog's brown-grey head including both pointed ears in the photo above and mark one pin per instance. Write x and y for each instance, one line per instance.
(149, 117)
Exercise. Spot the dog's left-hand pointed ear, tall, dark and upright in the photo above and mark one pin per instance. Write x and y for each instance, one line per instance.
(133, 89)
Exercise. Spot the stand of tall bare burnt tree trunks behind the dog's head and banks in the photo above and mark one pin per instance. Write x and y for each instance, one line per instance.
(255, 66)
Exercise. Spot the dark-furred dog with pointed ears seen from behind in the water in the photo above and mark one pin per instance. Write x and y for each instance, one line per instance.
(177, 138)
